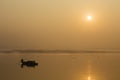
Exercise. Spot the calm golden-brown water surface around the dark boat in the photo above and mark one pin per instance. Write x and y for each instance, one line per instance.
(88, 66)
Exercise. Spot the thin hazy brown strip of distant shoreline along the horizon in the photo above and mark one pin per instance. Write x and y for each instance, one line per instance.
(58, 51)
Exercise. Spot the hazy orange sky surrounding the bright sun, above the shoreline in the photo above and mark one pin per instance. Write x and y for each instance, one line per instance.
(59, 24)
